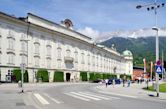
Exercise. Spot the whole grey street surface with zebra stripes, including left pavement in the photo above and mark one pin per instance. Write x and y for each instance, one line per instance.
(71, 96)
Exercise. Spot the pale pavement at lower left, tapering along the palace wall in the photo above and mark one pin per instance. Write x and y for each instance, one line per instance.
(12, 98)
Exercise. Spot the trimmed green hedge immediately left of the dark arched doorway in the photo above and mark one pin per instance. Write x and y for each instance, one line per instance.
(58, 76)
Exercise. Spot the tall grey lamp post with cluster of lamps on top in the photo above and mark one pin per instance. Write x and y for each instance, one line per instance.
(154, 6)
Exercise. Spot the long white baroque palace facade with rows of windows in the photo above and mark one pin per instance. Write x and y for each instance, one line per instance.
(40, 43)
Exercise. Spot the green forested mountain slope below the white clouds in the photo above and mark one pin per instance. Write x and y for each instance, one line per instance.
(141, 47)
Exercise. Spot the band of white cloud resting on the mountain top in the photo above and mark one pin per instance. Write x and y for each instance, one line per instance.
(103, 36)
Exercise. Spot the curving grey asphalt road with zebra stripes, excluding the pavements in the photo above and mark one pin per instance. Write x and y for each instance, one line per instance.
(85, 96)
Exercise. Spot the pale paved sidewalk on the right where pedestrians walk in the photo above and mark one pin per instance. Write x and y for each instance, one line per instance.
(134, 91)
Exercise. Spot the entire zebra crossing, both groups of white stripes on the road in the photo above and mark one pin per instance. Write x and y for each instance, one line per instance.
(45, 99)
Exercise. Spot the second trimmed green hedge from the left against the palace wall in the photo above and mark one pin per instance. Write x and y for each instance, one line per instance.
(43, 74)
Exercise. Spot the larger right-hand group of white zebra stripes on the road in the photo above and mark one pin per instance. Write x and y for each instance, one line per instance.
(89, 96)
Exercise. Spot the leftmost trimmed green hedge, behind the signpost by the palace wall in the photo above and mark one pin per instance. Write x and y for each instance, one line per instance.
(17, 75)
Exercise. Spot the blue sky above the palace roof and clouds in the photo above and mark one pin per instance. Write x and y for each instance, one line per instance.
(96, 15)
